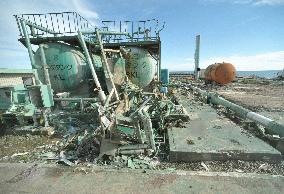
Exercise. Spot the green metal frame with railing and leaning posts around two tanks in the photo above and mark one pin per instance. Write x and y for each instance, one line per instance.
(73, 29)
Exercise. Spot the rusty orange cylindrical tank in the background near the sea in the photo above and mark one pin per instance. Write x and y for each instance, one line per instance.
(221, 73)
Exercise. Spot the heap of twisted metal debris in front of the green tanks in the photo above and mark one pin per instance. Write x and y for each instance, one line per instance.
(127, 133)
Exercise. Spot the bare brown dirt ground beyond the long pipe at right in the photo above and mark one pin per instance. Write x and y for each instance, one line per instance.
(265, 97)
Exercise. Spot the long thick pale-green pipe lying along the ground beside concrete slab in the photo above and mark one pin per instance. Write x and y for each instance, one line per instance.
(272, 126)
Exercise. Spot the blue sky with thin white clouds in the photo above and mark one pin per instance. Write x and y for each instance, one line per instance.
(247, 33)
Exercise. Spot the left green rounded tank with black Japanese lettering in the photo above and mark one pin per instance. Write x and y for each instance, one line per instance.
(67, 67)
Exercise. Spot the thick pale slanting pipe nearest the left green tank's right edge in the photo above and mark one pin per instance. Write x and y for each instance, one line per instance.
(102, 95)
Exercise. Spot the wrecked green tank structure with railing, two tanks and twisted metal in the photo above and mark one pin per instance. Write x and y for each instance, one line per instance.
(106, 78)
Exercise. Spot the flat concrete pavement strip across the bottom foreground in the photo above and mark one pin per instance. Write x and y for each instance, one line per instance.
(29, 178)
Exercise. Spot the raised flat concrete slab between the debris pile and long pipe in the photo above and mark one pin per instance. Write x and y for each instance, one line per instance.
(209, 136)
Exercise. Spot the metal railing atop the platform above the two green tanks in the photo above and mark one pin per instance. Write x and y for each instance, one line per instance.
(69, 23)
